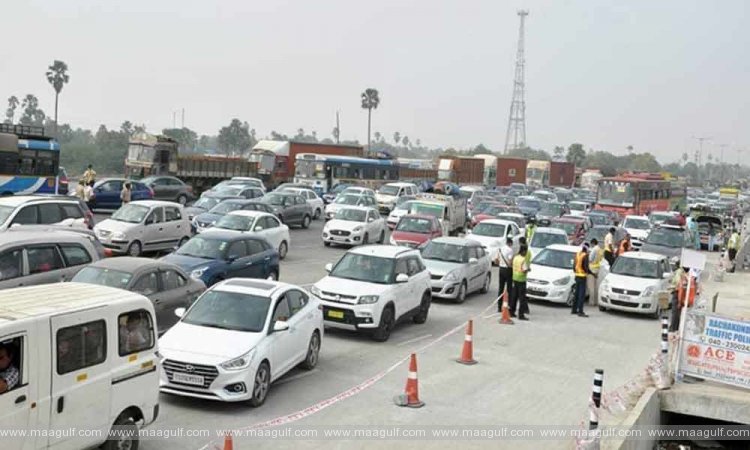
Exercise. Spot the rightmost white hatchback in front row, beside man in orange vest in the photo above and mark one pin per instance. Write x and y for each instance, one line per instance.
(634, 283)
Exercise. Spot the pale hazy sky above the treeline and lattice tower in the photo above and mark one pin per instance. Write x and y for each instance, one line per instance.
(606, 73)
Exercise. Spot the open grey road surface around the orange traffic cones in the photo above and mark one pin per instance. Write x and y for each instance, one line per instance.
(538, 372)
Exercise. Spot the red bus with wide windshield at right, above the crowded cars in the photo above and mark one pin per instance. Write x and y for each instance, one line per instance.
(633, 195)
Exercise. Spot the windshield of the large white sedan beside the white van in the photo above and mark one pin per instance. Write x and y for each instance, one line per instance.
(229, 311)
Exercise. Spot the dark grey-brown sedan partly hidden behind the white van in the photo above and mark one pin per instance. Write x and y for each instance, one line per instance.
(166, 285)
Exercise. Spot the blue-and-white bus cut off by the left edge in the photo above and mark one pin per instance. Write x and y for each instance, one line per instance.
(29, 161)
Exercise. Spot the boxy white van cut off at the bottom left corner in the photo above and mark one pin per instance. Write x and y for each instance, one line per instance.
(80, 359)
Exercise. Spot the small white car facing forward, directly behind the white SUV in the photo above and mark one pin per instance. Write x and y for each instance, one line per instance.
(354, 225)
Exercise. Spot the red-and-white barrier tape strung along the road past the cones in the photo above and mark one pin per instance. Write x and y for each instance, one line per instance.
(317, 407)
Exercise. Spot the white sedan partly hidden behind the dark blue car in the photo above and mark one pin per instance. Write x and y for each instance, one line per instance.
(258, 223)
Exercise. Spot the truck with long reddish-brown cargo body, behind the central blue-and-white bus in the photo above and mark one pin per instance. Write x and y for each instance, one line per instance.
(275, 159)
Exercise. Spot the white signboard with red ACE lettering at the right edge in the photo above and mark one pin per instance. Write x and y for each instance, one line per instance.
(716, 348)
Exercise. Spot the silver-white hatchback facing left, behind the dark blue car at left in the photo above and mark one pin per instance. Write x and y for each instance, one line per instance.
(144, 225)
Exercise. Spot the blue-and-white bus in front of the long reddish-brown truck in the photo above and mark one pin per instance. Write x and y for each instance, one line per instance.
(323, 172)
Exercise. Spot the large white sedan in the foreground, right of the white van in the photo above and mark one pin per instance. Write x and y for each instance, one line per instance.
(238, 338)
